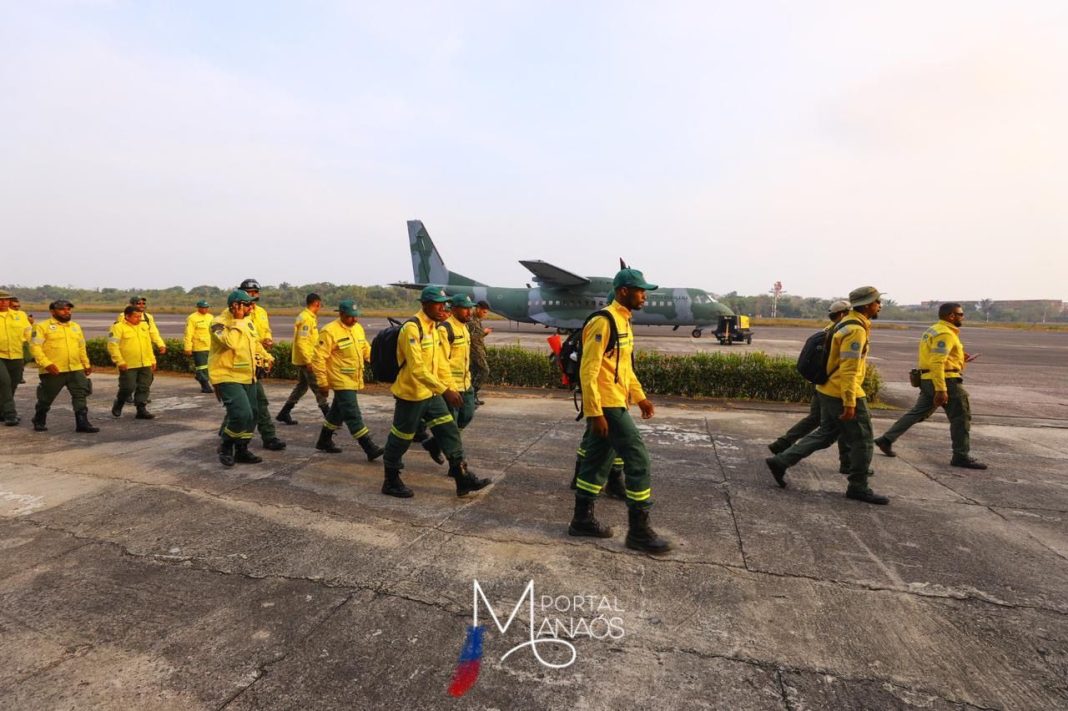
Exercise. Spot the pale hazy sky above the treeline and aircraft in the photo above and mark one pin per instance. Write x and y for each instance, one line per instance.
(921, 147)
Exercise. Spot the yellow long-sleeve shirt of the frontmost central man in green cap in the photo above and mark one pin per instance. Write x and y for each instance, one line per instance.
(599, 372)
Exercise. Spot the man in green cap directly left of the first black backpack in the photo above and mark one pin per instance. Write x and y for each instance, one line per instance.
(338, 365)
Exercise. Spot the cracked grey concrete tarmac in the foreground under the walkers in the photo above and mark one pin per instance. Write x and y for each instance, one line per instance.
(139, 574)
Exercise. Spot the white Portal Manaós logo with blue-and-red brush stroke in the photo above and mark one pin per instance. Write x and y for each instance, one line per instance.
(555, 622)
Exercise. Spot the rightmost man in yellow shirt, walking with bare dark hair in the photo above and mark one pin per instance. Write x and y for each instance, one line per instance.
(943, 362)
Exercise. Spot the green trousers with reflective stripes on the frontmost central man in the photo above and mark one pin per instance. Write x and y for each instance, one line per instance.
(626, 441)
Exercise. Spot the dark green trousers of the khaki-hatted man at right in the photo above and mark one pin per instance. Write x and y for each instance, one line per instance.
(857, 434)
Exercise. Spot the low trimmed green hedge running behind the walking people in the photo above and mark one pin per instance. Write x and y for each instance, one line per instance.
(736, 376)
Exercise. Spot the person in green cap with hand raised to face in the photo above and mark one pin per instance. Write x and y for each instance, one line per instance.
(231, 367)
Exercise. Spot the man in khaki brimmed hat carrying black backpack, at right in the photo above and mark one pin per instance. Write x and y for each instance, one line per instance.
(843, 404)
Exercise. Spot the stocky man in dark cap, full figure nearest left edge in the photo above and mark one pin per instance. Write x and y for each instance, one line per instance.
(59, 347)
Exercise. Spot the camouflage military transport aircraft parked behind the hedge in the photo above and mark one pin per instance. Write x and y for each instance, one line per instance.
(560, 299)
